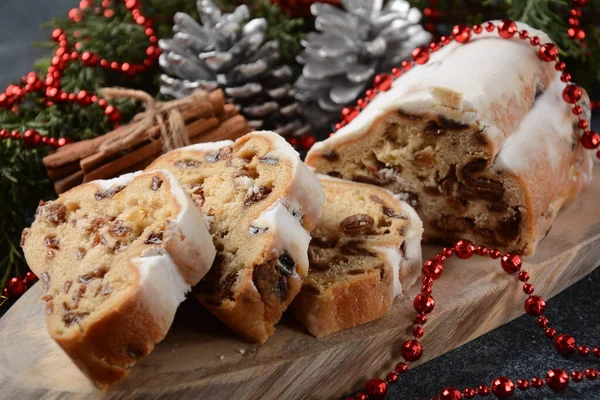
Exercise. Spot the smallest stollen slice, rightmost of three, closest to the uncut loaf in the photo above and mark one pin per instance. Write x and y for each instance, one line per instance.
(364, 252)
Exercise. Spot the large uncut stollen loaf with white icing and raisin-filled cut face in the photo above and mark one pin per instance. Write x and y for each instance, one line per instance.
(478, 139)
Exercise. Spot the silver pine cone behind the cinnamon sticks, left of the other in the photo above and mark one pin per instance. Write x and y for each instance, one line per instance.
(230, 51)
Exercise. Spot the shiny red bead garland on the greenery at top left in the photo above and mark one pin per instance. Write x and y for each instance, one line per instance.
(65, 54)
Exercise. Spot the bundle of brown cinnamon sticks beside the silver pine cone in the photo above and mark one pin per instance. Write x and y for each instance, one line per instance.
(205, 118)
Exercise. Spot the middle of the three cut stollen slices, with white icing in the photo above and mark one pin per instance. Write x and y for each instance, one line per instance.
(262, 202)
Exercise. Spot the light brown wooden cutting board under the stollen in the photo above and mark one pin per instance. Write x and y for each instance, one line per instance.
(201, 359)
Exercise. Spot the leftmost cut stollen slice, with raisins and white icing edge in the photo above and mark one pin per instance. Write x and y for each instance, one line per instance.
(115, 259)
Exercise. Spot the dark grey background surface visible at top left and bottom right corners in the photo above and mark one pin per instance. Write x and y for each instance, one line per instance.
(518, 349)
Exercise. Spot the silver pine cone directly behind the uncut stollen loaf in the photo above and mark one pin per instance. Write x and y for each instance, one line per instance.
(352, 46)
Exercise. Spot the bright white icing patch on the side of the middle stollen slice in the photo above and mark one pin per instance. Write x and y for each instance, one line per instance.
(288, 233)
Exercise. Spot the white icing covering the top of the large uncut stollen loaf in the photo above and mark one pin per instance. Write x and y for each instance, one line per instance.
(463, 82)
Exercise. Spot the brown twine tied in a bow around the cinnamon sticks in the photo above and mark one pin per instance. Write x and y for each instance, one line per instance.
(166, 114)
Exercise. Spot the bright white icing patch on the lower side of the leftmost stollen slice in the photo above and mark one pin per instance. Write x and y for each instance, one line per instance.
(162, 286)
